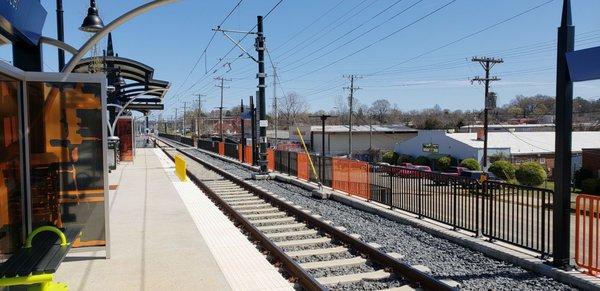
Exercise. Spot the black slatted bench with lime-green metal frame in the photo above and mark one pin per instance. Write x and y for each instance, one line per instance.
(34, 265)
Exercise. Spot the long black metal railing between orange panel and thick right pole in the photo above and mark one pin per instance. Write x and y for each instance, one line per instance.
(515, 214)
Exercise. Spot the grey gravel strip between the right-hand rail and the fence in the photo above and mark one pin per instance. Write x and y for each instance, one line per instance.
(471, 269)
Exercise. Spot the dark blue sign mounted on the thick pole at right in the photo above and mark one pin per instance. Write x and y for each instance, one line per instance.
(584, 65)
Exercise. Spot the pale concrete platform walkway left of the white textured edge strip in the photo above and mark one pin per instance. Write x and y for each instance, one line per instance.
(155, 244)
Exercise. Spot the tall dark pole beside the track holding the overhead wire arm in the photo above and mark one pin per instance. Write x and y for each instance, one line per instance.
(262, 112)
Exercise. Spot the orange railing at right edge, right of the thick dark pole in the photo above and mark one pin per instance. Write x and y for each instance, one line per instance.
(587, 233)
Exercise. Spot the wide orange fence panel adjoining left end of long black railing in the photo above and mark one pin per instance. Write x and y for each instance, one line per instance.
(351, 177)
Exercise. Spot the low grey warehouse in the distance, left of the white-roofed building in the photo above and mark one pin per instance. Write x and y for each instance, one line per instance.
(364, 137)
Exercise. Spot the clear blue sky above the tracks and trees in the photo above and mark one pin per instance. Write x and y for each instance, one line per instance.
(414, 53)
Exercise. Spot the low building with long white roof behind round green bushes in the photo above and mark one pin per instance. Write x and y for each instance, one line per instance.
(518, 146)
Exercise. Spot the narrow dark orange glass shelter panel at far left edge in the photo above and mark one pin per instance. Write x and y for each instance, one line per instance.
(11, 199)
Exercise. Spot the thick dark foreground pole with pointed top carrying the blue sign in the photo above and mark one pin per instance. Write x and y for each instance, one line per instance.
(564, 130)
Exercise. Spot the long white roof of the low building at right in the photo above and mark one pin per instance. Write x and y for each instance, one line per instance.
(521, 143)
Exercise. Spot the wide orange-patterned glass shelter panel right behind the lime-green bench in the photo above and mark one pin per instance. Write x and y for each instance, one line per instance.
(66, 157)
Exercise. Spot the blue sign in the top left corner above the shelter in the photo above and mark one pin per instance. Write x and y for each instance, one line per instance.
(22, 19)
